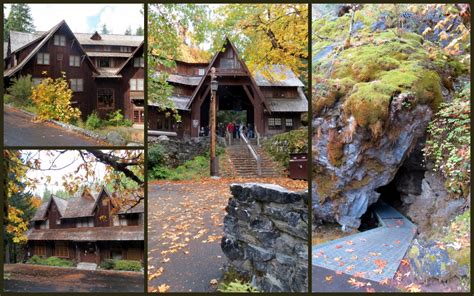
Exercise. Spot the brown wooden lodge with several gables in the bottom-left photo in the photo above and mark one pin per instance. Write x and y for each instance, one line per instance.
(86, 228)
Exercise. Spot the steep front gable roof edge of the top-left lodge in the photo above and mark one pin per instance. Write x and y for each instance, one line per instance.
(48, 35)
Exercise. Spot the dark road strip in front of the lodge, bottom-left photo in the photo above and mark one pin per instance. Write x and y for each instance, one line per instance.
(36, 278)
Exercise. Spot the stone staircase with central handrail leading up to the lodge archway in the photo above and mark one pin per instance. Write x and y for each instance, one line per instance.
(246, 166)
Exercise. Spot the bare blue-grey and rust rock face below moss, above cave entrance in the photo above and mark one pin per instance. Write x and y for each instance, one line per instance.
(343, 191)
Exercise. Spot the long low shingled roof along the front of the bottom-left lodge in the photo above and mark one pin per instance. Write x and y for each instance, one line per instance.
(116, 233)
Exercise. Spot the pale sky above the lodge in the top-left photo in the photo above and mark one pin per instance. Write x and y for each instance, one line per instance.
(87, 18)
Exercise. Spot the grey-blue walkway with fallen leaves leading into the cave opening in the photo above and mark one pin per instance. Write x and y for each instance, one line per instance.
(375, 254)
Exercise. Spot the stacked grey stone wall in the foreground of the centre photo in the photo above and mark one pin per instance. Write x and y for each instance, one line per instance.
(266, 236)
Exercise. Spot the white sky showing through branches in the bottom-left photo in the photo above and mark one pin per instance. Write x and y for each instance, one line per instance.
(70, 160)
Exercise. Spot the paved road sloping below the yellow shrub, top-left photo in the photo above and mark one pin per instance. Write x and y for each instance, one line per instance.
(20, 130)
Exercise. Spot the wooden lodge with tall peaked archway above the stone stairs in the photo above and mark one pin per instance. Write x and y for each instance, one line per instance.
(273, 102)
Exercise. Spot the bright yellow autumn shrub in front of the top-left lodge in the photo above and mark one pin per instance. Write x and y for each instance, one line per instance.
(52, 98)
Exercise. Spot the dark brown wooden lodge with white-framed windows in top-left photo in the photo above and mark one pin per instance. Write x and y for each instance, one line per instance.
(105, 72)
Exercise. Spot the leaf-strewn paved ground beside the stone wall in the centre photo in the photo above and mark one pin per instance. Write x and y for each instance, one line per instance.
(184, 234)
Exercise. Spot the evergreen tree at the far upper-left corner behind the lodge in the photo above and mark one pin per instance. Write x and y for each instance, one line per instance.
(19, 19)
